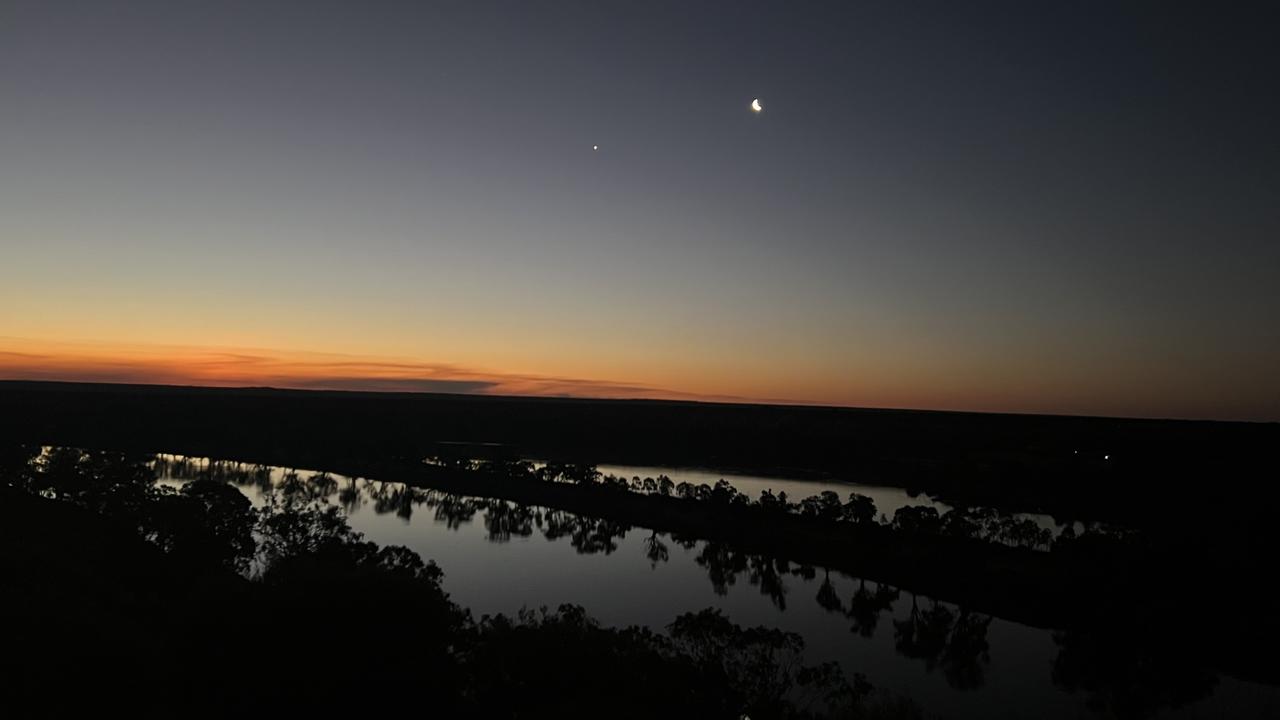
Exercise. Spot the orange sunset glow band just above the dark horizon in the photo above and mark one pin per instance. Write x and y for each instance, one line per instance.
(804, 381)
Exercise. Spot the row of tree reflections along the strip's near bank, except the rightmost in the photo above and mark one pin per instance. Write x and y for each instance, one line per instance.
(936, 636)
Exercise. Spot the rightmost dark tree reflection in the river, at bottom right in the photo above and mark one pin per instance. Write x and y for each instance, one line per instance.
(1124, 680)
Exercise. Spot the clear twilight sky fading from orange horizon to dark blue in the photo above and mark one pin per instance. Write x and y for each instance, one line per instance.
(1004, 207)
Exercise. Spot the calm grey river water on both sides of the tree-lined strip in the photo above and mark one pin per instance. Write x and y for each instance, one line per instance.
(501, 559)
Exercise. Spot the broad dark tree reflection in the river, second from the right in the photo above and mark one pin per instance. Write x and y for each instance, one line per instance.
(940, 637)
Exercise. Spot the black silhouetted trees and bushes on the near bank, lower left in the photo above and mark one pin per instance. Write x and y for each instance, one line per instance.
(189, 601)
